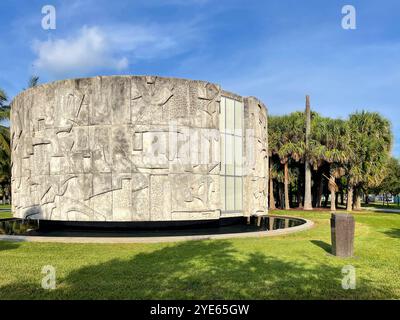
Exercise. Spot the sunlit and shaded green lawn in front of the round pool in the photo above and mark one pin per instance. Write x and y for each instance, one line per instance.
(295, 266)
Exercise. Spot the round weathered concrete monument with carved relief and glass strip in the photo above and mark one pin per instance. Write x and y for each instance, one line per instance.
(123, 149)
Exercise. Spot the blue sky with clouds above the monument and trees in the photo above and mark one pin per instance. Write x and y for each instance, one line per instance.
(277, 50)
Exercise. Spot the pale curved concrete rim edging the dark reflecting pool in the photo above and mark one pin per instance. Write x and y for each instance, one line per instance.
(308, 224)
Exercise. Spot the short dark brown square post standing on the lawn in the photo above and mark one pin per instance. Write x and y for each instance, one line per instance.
(342, 233)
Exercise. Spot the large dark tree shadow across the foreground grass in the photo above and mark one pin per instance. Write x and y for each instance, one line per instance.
(198, 270)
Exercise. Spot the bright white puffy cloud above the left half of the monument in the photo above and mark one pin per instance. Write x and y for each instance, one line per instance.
(95, 48)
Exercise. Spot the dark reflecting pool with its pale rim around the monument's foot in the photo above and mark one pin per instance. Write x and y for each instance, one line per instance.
(261, 226)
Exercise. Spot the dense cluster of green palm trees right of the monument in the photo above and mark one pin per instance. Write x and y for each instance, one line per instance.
(346, 156)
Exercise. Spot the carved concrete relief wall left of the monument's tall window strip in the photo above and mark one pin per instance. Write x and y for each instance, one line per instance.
(79, 150)
